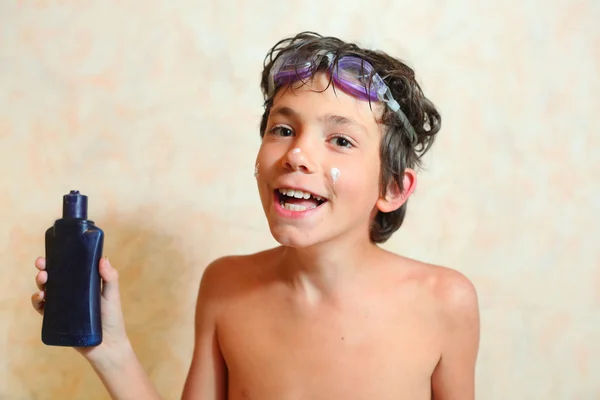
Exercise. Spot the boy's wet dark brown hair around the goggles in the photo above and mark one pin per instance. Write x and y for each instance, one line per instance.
(399, 149)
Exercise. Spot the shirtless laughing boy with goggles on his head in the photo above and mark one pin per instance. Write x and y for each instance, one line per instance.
(328, 314)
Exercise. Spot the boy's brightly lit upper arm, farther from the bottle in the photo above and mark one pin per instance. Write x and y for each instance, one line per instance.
(454, 376)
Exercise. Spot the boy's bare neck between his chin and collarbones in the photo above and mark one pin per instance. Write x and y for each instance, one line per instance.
(322, 270)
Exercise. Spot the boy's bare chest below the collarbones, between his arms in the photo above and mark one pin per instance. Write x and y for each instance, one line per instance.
(356, 350)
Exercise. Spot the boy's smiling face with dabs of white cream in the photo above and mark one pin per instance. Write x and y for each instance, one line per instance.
(325, 144)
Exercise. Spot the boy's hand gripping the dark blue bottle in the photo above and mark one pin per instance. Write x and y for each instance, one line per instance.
(115, 344)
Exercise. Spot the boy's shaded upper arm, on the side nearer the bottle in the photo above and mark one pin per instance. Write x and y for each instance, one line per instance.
(207, 377)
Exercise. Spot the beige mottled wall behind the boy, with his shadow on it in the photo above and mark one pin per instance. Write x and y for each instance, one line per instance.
(152, 111)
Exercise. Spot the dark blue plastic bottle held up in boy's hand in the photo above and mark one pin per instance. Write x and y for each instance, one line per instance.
(73, 252)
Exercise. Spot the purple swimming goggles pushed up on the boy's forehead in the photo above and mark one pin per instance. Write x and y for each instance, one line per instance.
(352, 74)
